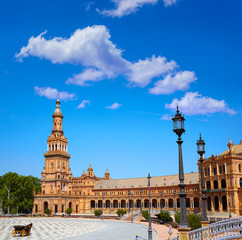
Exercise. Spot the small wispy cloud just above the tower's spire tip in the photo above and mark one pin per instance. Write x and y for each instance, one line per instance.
(52, 93)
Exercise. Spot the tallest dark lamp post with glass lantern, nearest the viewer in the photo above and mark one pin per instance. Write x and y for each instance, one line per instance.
(178, 128)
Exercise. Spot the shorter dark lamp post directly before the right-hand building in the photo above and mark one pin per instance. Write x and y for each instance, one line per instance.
(201, 151)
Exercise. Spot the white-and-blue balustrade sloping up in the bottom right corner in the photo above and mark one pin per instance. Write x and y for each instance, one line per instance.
(226, 229)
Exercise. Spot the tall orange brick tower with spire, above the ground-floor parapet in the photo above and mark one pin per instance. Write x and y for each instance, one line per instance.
(56, 175)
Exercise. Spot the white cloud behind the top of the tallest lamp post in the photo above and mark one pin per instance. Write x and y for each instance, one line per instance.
(194, 103)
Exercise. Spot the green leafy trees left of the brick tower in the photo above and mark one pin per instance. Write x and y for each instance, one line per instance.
(17, 192)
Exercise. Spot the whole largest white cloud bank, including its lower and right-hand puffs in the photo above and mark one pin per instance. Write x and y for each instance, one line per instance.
(99, 58)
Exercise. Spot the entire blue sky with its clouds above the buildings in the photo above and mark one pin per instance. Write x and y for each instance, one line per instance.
(121, 67)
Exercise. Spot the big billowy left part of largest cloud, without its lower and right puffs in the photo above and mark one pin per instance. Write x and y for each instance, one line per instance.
(89, 47)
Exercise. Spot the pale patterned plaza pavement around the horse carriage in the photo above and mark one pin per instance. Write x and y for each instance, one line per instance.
(75, 229)
